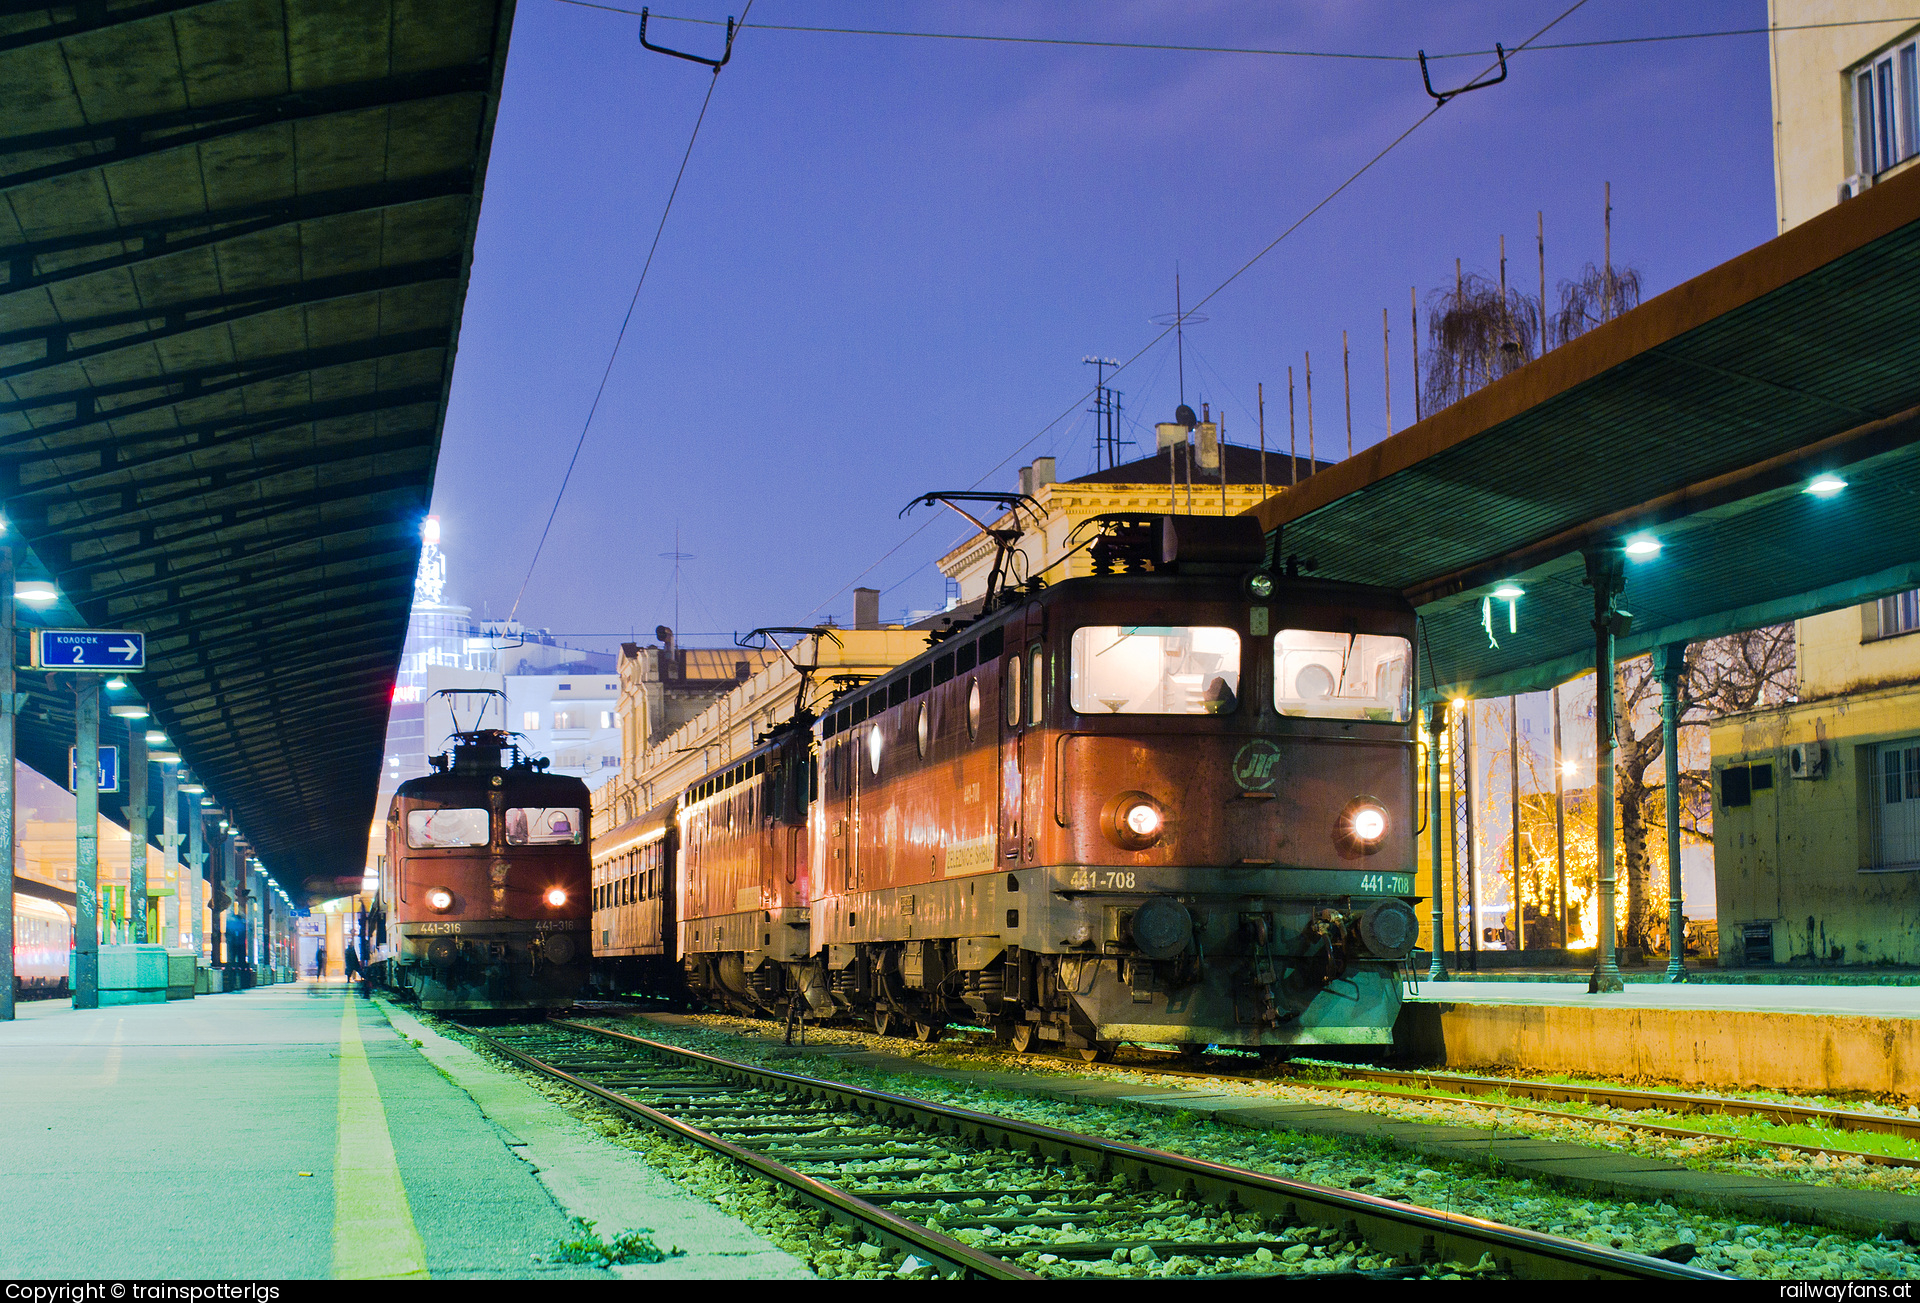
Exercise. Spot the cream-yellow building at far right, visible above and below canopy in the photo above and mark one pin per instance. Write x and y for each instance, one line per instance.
(1817, 803)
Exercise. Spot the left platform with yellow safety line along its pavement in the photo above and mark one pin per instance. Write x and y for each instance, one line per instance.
(293, 1133)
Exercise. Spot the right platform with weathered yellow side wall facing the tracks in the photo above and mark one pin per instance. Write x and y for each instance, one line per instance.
(1806, 1039)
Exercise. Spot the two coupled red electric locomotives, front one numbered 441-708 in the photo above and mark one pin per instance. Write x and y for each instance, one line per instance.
(1166, 803)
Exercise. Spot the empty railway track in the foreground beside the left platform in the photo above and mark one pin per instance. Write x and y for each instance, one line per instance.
(982, 1196)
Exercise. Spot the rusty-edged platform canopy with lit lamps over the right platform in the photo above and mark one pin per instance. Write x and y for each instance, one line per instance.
(1696, 421)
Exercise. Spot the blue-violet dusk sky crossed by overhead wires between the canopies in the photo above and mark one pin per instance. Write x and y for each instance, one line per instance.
(888, 258)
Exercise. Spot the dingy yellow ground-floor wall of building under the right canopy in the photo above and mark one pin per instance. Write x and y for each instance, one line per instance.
(1796, 857)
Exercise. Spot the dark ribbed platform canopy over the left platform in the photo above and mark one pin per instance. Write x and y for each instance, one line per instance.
(233, 252)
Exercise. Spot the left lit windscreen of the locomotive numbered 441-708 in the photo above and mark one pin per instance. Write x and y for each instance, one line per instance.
(1155, 669)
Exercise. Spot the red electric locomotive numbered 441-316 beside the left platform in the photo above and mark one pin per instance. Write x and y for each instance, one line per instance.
(485, 895)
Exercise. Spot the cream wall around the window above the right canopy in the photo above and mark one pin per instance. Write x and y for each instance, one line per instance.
(1813, 122)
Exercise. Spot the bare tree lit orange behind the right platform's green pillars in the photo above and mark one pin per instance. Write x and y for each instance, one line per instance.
(1723, 676)
